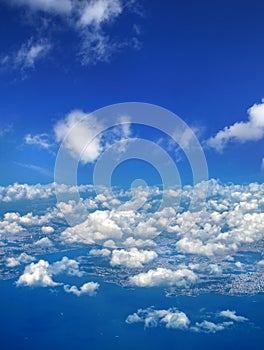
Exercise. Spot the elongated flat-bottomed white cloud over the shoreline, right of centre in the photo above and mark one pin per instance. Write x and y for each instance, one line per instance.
(182, 277)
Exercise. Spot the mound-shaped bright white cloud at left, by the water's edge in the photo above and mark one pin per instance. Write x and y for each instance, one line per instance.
(37, 275)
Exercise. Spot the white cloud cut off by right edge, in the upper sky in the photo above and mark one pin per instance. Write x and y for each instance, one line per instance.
(251, 130)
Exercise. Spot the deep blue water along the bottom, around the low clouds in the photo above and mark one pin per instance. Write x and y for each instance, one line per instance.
(43, 319)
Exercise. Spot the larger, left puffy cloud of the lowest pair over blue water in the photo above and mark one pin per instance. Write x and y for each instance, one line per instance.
(171, 318)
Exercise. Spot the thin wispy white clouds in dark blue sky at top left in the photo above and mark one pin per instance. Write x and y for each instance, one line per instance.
(86, 18)
